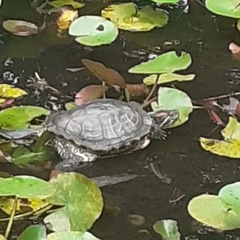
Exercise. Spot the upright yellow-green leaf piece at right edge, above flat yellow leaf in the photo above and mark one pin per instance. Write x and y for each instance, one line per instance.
(232, 130)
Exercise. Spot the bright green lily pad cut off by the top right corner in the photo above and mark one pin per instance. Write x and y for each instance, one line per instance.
(228, 8)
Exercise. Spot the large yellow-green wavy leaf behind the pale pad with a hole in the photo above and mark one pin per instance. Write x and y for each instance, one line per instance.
(126, 17)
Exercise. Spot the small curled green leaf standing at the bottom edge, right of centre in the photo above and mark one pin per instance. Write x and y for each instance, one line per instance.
(168, 229)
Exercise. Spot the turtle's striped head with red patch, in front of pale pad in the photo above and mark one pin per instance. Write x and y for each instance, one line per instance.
(165, 118)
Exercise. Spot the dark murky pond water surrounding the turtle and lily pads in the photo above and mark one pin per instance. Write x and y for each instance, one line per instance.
(191, 170)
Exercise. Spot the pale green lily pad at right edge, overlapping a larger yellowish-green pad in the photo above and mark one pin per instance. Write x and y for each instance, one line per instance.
(231, 195)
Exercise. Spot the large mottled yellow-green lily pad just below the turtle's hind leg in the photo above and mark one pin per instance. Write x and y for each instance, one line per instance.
(81, 197)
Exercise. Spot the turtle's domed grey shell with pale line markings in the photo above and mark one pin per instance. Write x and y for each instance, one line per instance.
(101, 125)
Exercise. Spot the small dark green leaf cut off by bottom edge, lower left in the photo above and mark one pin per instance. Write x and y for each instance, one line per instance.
(36, 232)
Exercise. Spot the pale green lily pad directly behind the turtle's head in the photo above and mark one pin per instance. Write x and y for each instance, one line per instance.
(170, 99)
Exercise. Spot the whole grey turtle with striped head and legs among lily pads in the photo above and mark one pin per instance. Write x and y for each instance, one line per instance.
(104, 128)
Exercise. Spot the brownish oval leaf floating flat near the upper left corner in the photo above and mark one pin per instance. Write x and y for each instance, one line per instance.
(20, 28)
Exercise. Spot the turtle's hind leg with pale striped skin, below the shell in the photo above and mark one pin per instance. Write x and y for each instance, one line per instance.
(71, 155)
